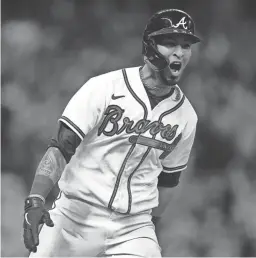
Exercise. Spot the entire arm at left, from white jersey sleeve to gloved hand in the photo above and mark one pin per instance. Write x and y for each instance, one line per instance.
(80, 116)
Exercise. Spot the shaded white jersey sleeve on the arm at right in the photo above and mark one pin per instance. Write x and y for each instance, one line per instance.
(177, 160)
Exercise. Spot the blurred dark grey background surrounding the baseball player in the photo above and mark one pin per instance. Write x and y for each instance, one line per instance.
(50, 48)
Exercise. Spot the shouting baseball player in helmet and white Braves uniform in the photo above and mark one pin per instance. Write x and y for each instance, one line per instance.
(123, 140)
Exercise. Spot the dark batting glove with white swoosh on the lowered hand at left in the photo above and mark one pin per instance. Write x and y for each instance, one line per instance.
(35, 215)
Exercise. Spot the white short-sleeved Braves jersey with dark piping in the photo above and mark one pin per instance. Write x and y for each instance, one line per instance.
(125, 144)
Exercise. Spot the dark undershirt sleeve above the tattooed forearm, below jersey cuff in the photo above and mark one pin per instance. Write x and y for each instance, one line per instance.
(66, 141)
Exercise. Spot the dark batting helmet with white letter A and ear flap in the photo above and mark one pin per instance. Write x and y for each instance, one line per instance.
(171, 22)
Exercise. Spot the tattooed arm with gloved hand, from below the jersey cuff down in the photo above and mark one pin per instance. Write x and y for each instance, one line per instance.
(47, 175)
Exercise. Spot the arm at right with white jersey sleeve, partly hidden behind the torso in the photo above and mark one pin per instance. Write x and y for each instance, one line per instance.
(173, 165)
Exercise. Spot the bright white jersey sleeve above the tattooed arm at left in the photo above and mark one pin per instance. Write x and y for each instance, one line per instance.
(85, 108)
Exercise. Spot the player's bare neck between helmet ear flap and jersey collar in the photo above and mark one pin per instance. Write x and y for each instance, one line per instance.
(154, 82)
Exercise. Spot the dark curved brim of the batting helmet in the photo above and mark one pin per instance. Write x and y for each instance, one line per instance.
(172, 32)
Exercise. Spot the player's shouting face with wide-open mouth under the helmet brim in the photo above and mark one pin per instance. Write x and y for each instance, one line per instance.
(178, 52)
